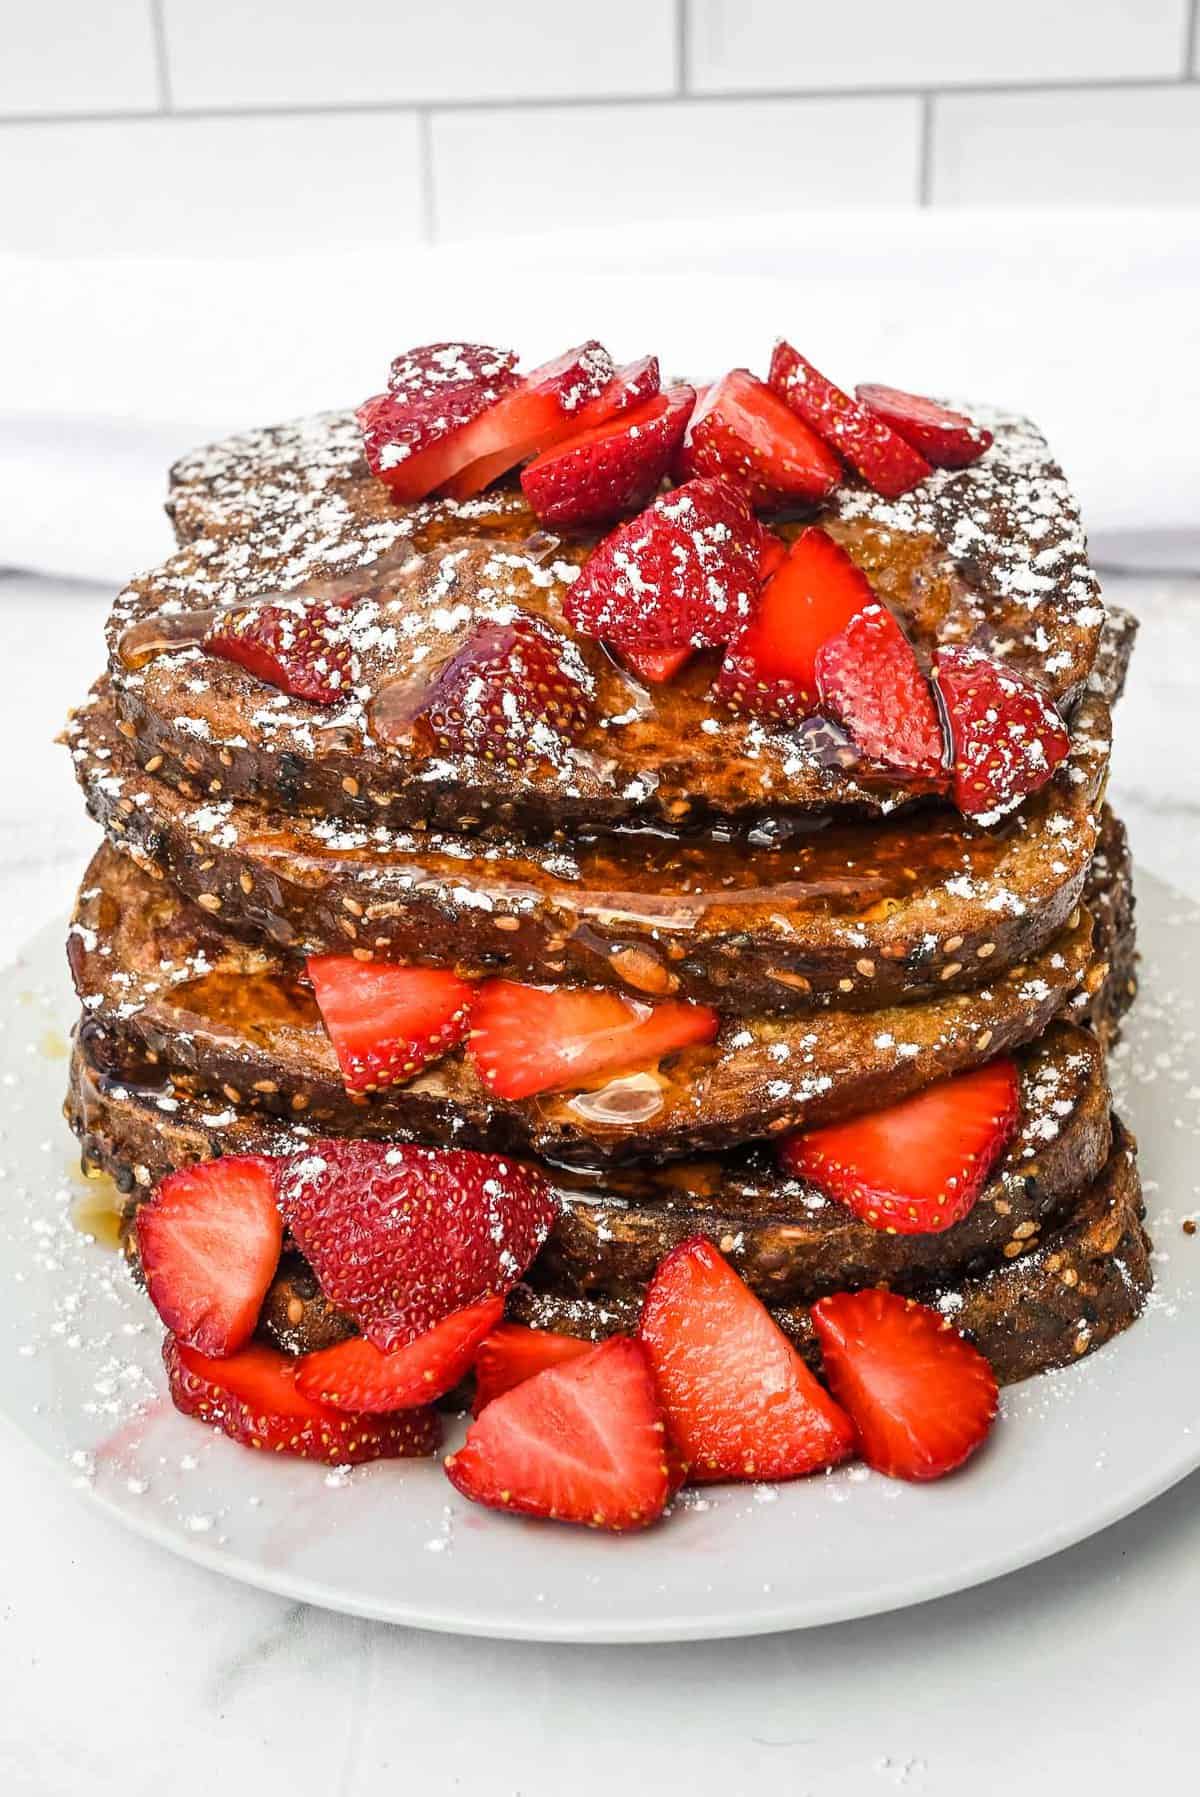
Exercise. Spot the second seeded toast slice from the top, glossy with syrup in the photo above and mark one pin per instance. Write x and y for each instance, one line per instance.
(854, 914)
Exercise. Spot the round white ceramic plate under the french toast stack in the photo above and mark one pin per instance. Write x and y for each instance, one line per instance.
(1075, 1451)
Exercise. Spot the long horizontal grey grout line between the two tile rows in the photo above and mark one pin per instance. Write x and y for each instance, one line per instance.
(592, 102)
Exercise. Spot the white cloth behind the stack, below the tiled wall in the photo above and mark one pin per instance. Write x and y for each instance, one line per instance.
(1091, 323)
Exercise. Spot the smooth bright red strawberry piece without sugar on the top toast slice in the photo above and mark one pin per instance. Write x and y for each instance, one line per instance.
(772, 664)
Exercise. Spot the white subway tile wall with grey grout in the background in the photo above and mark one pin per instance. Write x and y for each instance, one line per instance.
(164, 127)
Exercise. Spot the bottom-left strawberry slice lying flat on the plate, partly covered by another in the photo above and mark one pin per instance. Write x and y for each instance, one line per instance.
(254, 1399)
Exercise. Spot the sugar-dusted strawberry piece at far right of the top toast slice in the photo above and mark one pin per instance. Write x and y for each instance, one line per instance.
(1007, 738)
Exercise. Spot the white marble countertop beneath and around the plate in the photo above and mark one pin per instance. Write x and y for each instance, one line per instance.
(128, 1672)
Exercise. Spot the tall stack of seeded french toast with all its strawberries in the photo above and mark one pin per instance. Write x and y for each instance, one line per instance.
(608, 890)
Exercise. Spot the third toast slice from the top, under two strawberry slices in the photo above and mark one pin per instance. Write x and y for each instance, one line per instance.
(240, 1023)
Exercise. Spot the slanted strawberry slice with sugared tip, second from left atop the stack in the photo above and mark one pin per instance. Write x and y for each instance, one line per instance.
(540, 412)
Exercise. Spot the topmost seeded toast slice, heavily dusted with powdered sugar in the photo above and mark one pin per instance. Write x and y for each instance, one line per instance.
(993, 556)
